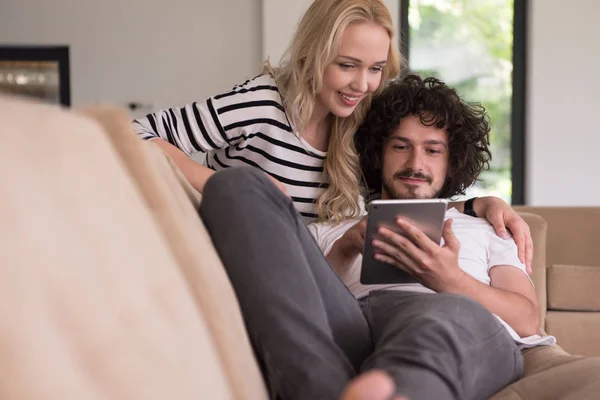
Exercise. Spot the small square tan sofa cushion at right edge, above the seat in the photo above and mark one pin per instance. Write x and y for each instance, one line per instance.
(573, 288)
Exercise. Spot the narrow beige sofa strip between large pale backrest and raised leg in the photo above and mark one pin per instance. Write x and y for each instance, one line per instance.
(173, 203)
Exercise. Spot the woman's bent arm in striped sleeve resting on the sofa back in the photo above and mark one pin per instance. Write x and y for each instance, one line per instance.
(215, 123)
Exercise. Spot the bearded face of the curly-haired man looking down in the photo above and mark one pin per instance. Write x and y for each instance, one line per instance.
(415, 161)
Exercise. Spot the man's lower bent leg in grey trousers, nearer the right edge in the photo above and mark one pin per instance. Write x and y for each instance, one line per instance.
(440, 346)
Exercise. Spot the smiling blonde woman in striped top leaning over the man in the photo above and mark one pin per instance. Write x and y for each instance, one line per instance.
(296, 122)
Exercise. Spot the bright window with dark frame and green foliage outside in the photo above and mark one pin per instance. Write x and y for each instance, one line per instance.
(477, 47)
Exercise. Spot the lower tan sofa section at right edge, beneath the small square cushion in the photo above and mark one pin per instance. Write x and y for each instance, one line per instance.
(576, 332)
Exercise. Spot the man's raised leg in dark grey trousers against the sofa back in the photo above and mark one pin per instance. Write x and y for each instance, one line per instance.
(306, 327)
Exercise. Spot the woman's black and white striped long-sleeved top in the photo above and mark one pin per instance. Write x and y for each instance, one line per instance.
(246, 126)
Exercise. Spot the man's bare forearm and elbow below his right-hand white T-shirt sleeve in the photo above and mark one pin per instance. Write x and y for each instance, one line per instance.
(510, 296)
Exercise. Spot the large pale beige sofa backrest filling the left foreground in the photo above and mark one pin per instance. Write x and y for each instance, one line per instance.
(92, 302)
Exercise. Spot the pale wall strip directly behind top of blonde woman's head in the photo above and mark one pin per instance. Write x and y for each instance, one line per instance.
(279, 20)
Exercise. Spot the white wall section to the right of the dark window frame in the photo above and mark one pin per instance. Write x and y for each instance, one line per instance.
(563, 132)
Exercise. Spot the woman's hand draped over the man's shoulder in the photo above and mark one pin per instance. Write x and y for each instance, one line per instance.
(503, 216)
